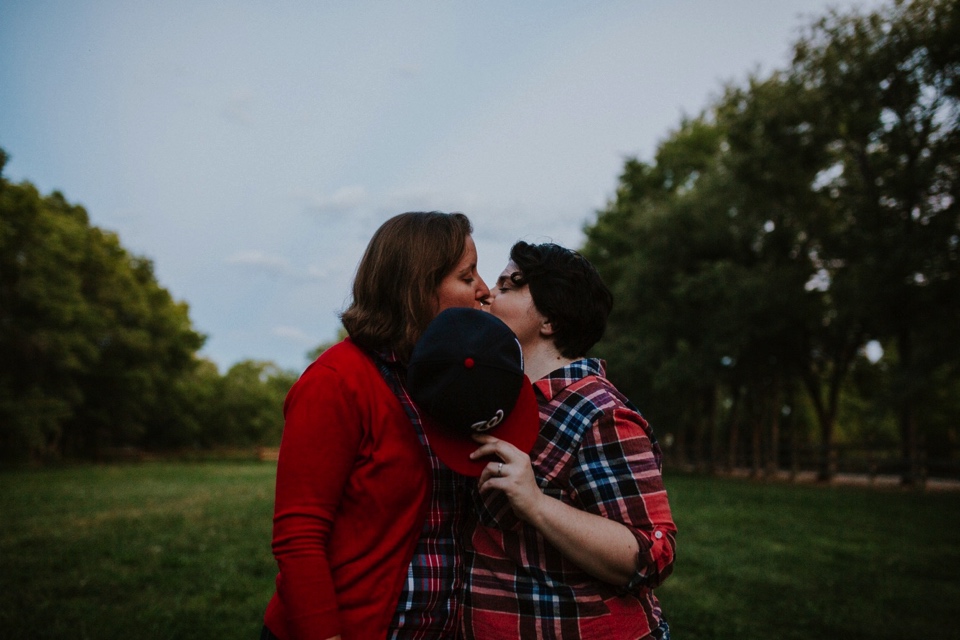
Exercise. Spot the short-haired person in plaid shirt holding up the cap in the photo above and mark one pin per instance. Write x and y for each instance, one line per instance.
(570, 540)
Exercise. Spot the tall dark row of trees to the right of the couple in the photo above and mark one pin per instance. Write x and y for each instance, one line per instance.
(802, 216)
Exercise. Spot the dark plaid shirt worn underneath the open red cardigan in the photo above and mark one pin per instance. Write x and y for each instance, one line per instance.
(429, 605)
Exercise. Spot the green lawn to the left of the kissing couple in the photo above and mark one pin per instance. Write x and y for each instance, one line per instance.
(136, 551)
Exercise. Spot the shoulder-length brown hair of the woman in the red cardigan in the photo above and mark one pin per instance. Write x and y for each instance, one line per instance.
(395, 289)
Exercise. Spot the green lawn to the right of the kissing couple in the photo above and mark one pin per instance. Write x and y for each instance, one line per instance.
(778, 561)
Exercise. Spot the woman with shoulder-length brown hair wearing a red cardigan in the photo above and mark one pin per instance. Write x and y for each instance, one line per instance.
(366, 519)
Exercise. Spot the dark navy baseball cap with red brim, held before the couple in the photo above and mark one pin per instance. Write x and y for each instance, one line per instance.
(466, 374)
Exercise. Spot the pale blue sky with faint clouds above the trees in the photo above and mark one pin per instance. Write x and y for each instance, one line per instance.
(251, 148)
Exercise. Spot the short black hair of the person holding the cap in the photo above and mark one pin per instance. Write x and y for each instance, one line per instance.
(566, 289)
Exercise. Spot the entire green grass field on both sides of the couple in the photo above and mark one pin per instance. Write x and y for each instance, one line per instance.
(181, 550)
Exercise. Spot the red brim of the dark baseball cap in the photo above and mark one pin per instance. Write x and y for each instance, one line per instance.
(520, 429)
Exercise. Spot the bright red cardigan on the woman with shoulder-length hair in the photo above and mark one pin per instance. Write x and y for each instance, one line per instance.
(353, 487)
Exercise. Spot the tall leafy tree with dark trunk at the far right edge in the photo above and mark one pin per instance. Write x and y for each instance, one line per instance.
(887, 88)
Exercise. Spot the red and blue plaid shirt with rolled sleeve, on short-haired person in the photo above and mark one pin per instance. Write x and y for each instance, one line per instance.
(597, 453)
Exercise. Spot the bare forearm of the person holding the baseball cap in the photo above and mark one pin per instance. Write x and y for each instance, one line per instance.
(605, 549)
